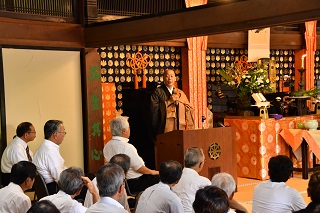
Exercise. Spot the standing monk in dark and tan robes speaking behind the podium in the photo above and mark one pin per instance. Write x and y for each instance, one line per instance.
(170, 108)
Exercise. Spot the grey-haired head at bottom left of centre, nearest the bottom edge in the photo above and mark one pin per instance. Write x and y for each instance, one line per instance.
(110, 180)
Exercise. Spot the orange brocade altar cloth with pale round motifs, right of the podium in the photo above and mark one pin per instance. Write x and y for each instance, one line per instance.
(259, 139)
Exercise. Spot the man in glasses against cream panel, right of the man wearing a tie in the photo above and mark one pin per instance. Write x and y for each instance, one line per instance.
(47, 157)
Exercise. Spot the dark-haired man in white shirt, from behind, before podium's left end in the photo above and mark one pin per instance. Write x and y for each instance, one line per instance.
(159, 197)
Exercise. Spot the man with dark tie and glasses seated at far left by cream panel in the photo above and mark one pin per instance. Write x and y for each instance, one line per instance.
(17, 150)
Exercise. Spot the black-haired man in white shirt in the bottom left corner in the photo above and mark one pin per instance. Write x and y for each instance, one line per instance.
(12, 197)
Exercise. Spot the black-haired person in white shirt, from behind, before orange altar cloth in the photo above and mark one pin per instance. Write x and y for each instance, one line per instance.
(274, 195)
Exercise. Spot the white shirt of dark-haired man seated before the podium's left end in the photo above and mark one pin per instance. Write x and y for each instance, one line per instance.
(159, 198)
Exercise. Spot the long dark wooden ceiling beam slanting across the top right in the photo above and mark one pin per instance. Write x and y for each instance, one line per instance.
(202, 20)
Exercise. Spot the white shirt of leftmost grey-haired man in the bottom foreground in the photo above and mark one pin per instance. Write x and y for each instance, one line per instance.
(65, 203)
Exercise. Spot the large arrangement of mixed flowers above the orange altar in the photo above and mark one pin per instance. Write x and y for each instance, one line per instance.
(246, 79)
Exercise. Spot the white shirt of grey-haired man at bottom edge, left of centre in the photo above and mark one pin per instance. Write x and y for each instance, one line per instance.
(106, 205)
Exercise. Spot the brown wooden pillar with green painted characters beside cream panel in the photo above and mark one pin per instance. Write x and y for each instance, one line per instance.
(92, 110)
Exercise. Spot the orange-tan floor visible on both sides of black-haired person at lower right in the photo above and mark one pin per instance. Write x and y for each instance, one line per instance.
(246, 186)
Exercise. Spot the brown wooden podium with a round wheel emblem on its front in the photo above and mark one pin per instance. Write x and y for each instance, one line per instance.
(218, 145)
